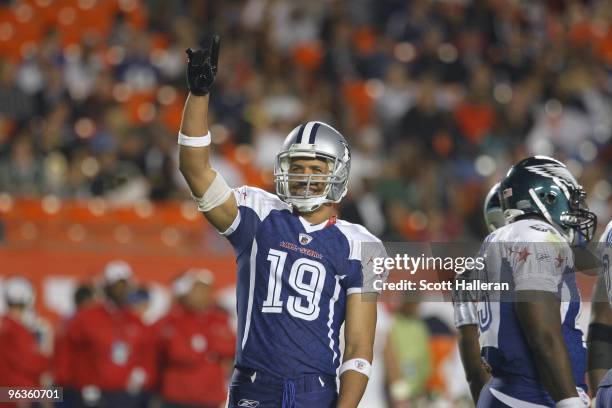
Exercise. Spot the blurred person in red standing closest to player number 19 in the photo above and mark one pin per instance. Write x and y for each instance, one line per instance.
(197, 345)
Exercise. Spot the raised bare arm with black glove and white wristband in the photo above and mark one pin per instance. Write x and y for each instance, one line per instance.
(213, 196)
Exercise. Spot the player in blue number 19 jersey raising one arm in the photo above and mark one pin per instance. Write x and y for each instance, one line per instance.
(300, 273)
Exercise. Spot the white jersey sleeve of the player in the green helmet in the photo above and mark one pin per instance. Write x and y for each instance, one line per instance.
(538, 260)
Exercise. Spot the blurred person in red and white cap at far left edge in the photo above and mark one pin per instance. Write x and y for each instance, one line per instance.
(21, 360)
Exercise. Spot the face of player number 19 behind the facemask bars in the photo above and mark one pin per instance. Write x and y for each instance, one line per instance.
(314, 169)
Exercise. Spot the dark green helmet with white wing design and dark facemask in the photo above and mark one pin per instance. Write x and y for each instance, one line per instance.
(544, 186)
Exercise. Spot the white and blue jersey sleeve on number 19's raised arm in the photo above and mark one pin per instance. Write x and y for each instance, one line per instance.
(254, 205)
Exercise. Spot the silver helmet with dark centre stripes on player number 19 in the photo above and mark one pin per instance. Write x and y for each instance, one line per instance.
(313, 140)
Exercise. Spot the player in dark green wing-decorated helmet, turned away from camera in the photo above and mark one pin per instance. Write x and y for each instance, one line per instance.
(529, 335)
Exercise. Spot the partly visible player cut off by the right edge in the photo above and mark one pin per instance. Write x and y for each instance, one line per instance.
(600, 329)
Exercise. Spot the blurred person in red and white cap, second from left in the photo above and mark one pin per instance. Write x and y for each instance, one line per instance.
(108, 338)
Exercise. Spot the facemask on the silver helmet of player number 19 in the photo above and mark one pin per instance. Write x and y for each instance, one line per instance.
(308, 192)
